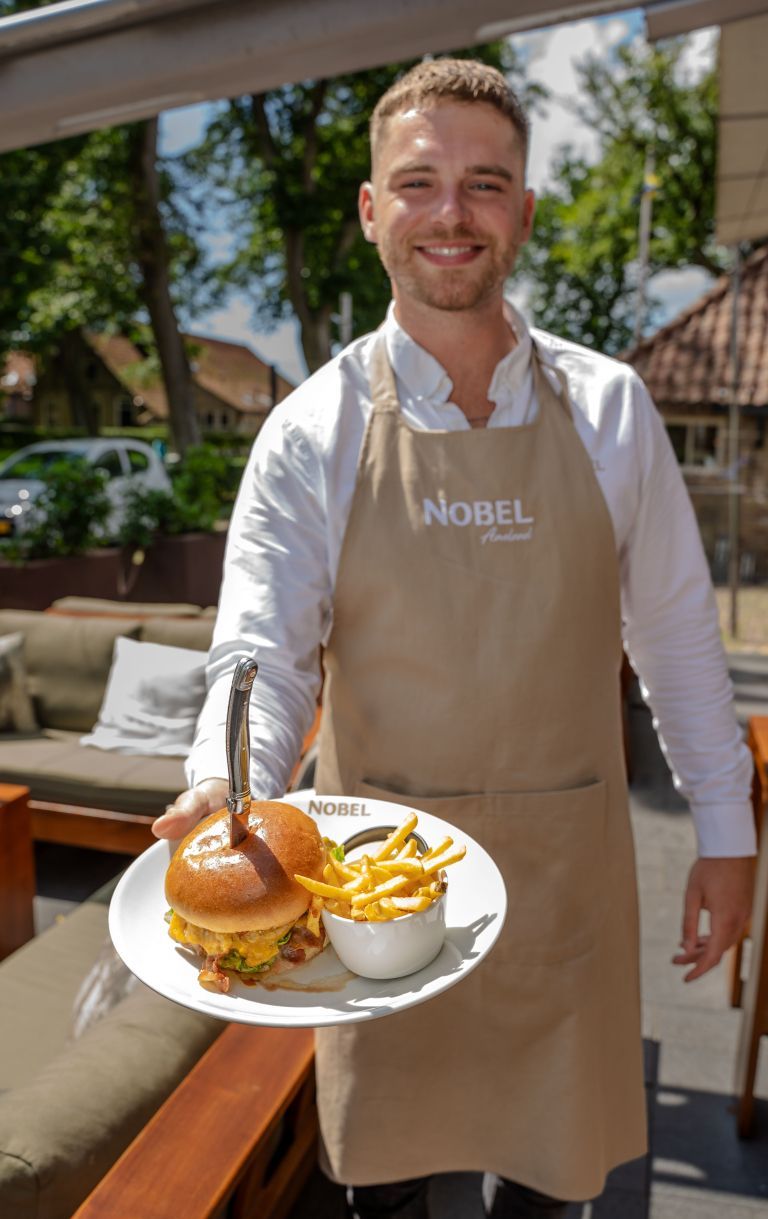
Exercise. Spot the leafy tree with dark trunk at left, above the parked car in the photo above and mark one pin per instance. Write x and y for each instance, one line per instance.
(93, 238)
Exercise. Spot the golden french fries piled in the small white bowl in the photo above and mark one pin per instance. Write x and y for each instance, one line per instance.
(392, 882)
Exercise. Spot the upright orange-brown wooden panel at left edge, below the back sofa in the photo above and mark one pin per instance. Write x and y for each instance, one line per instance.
(16, 870)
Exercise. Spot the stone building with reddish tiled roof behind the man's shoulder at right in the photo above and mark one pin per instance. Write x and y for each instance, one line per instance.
(688, 369)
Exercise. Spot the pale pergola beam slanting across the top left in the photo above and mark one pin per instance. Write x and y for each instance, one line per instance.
(73, 68)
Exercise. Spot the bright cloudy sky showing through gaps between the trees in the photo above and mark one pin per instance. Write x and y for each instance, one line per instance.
(552, 59)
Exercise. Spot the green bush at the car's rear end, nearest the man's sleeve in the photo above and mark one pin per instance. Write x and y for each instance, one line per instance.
(194, 505)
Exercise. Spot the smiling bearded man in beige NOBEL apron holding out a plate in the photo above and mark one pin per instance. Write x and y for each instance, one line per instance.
(474, 517)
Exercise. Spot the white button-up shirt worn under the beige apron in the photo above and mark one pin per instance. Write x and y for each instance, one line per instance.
(291, 517)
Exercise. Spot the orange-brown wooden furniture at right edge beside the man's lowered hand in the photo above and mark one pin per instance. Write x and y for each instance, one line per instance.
(754, 995)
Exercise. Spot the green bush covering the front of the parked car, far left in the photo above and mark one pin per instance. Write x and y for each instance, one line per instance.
(70, 517)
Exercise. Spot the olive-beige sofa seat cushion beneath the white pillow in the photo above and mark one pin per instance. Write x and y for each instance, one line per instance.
(57, 767)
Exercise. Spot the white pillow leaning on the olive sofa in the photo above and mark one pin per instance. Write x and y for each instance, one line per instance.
(153, 699)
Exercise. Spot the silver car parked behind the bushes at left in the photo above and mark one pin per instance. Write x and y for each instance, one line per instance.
(125, 464)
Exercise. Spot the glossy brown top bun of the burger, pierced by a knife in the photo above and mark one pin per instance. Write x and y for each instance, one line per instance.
(252, 887)
